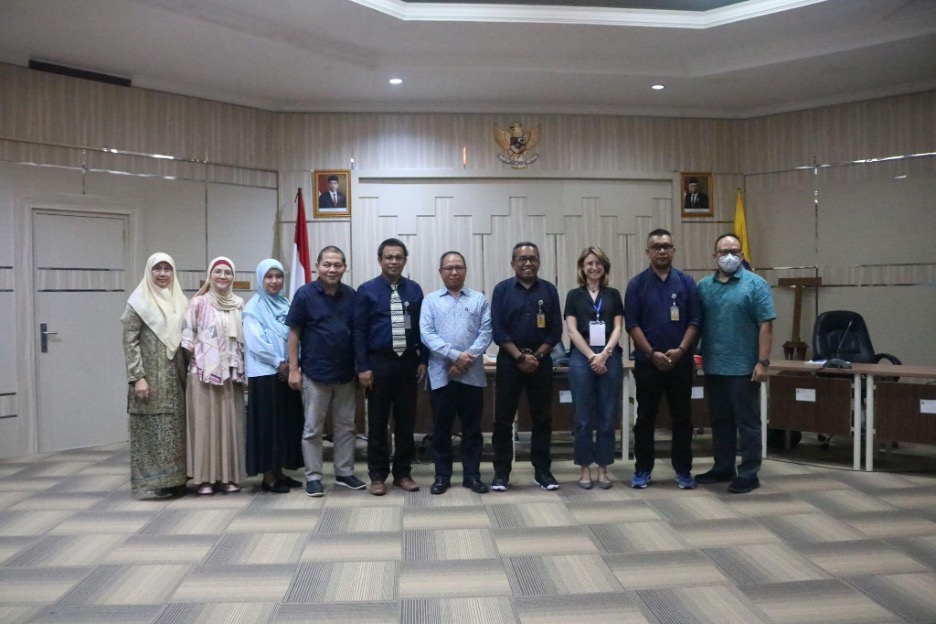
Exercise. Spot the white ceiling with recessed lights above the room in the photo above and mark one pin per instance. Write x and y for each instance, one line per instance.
(721, 59)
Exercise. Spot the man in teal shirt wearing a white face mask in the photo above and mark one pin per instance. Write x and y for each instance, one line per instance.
(738, 313)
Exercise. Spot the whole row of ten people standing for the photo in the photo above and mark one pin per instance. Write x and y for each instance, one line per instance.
(303, 360)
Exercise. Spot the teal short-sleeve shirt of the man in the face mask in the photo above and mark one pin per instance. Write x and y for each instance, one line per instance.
(731, 316)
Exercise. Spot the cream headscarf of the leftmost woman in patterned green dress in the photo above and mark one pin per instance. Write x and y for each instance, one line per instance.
(162, 309)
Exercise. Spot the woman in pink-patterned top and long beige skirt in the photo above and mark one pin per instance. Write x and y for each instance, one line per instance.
(213, 333)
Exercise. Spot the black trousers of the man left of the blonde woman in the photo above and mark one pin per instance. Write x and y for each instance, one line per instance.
(510, 385)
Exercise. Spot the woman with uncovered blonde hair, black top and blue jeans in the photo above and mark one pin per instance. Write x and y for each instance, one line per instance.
(594, 314)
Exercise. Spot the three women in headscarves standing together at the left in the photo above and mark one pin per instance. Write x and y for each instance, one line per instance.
(188, 363)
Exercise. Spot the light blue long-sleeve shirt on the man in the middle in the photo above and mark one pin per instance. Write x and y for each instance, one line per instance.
(451, 325)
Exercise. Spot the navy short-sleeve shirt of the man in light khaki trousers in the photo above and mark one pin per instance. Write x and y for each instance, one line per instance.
(325, 321)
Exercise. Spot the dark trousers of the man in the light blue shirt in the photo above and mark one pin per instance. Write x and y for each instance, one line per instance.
(451, 401)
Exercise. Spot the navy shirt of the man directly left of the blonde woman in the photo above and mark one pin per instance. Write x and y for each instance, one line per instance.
(514, 309)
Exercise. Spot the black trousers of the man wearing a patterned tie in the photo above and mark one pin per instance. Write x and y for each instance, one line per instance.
(393, 392)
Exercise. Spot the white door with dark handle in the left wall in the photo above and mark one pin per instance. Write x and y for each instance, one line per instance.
(79, 263)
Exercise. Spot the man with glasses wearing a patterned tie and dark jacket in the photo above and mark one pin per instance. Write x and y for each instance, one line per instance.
(390, 363)
